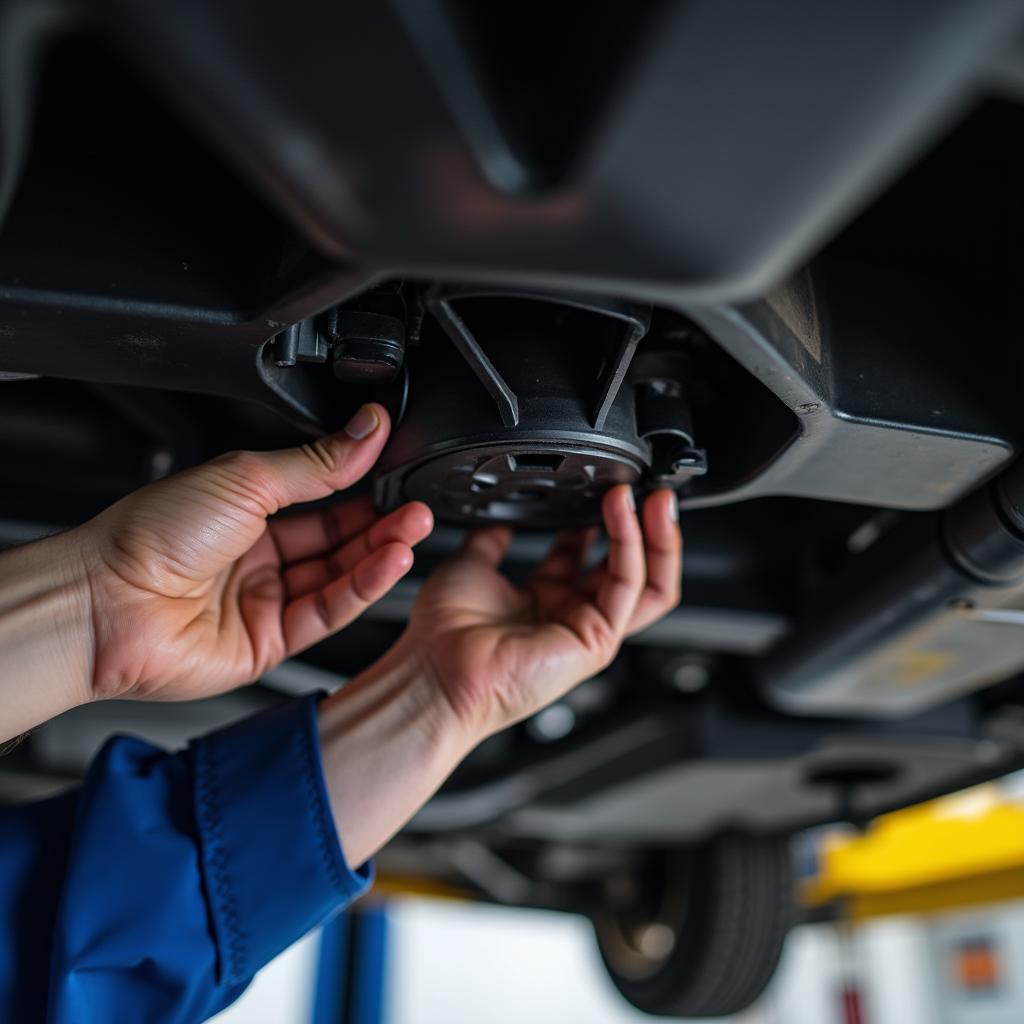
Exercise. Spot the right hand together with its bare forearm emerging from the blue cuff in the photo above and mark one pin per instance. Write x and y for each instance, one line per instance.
(481, 654)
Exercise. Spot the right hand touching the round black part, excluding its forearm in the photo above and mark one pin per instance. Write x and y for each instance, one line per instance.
(500, 653)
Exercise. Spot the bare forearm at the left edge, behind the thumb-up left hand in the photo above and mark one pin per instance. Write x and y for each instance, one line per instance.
(46, 633)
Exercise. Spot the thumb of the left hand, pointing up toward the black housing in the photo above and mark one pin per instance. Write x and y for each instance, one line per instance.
(276, 480)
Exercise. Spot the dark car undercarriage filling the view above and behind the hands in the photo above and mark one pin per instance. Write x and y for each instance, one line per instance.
(766, 255)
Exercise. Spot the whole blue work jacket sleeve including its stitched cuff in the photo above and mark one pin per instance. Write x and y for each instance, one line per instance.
(158, 890)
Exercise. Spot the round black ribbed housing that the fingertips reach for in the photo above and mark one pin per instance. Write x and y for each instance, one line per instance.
(547, 411)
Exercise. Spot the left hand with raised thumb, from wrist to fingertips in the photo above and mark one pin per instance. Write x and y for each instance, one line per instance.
(194, 591)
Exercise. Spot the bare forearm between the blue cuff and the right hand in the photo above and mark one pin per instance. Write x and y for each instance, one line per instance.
(389, 741)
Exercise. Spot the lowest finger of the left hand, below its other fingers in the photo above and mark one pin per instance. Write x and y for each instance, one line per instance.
(310, 619)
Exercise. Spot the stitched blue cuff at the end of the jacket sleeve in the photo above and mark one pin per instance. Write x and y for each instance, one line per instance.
(272, 860)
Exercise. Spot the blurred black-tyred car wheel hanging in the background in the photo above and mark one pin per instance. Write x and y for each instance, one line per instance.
(706, 937)
